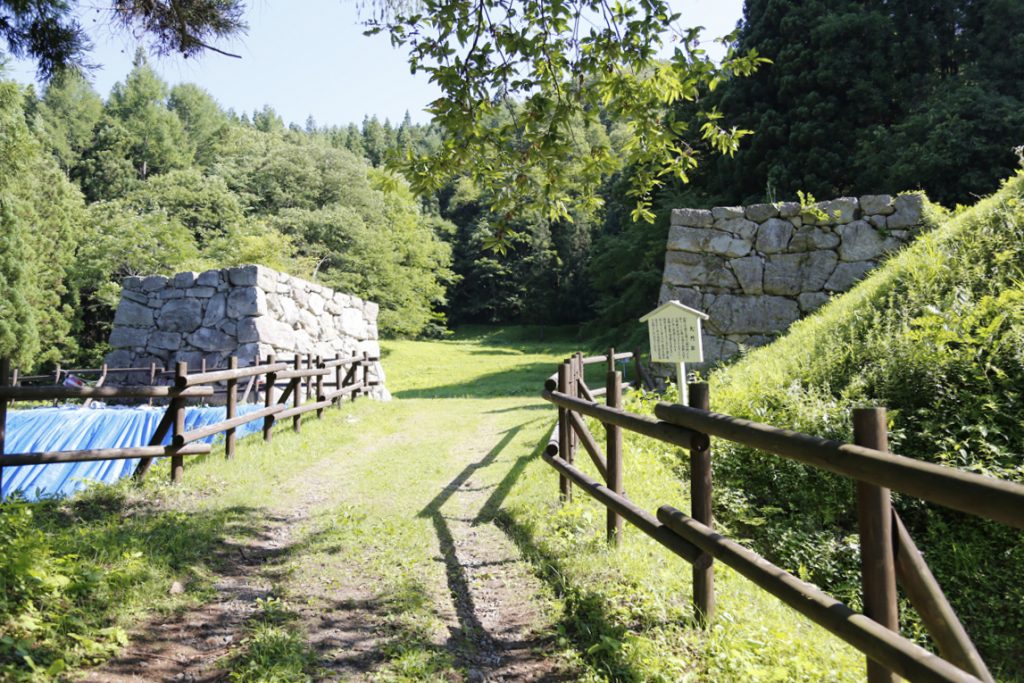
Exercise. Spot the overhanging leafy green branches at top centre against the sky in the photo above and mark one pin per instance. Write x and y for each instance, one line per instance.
(547, 67)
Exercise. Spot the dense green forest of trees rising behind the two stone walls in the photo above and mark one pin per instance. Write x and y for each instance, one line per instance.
(159, 180)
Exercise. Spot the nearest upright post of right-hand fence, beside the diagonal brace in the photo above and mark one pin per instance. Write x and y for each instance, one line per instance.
(878, 571)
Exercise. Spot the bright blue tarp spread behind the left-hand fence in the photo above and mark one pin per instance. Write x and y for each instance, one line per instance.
(73, 429)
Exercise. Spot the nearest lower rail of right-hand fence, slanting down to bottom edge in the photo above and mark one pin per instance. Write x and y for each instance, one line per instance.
(883, 646)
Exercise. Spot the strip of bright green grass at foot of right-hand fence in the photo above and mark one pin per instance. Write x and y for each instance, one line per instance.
(629, 613)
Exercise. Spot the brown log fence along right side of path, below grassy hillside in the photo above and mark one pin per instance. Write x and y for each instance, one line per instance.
(888, 552)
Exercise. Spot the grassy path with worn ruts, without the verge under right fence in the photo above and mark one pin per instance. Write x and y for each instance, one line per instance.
(374, 553)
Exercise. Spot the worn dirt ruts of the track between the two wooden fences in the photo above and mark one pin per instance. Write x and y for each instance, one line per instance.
(497, 623)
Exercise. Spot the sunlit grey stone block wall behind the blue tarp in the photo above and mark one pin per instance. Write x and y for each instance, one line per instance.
(249, 312)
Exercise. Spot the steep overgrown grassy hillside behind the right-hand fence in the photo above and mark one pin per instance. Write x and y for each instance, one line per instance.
(937, 336)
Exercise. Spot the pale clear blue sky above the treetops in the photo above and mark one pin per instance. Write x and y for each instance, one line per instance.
(311, 59)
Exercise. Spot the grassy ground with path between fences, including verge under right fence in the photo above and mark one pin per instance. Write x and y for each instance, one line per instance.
(422, 540)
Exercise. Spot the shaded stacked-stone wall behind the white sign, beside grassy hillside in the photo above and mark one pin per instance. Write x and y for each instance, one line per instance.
(757, 270)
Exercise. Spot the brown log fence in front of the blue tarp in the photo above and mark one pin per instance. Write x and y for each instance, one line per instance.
(307, 385)
